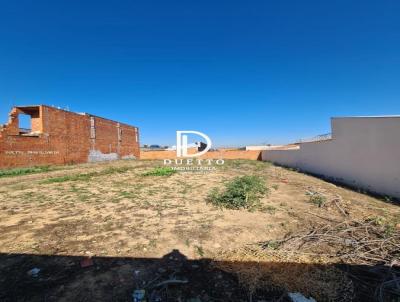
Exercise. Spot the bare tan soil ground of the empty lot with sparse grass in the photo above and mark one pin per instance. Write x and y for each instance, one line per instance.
(132, 226)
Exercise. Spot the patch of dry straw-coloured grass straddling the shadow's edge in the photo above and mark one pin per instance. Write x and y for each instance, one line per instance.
(297, 273)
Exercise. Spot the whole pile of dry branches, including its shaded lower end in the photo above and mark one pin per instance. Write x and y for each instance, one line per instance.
(370, 248)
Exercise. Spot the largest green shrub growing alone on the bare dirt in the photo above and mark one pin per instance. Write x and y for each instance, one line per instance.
(242, 192)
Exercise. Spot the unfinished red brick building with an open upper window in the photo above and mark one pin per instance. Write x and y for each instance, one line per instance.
(62, 137)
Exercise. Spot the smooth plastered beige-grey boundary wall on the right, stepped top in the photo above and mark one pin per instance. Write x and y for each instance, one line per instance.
(364, 152)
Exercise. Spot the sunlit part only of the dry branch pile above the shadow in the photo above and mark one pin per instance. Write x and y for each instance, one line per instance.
(367, 242)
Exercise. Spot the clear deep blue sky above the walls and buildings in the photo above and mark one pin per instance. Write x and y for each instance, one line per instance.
(243, 72)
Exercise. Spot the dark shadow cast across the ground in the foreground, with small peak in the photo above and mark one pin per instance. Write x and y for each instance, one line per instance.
(167, 279)
